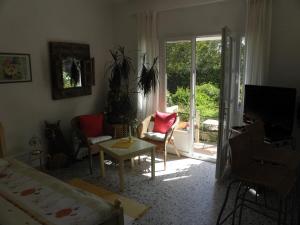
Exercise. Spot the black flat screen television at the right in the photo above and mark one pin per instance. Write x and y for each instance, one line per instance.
(275, 106)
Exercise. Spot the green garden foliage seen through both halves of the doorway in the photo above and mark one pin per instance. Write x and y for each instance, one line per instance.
(208, 68)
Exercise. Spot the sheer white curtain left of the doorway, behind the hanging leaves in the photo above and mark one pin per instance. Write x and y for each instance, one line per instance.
(147, 44)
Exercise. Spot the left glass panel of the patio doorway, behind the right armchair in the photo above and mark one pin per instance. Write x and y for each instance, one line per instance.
(178, 71)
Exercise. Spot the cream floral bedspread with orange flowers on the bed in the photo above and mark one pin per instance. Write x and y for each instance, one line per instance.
(48, 200)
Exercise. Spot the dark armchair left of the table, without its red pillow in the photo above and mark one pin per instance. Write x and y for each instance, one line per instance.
(91, 143)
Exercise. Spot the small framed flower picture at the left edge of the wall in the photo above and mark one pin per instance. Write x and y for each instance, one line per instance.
(15, 67)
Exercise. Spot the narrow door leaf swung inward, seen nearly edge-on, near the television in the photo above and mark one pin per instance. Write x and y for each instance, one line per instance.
(225, 103)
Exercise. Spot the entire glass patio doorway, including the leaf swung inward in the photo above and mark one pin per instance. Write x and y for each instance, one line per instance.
(198, 81)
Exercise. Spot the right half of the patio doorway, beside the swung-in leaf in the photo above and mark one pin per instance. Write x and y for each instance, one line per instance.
(207, 95)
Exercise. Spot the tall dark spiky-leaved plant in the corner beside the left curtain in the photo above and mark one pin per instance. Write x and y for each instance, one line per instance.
(119, 106)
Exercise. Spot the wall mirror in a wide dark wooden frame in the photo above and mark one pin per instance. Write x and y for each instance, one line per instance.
(72, 69)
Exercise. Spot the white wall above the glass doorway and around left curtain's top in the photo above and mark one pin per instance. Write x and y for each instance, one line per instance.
(178, 19)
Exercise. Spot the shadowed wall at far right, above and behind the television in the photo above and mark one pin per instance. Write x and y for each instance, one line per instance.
(285, 49)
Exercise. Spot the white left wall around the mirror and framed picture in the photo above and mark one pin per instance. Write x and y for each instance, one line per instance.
(27, 27)
